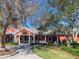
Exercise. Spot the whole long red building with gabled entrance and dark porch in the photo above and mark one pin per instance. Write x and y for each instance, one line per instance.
(24, 35)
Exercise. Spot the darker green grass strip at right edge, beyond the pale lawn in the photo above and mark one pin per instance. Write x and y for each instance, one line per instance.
(73, 51)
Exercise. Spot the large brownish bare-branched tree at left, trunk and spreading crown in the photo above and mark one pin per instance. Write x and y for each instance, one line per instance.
(12, 12)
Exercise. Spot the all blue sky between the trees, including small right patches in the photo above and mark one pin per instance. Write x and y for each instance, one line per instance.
(43, 7)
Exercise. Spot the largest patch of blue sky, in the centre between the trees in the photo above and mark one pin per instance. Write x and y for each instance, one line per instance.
(42, 7)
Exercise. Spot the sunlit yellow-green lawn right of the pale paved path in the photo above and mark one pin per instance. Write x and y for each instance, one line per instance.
(54, 53)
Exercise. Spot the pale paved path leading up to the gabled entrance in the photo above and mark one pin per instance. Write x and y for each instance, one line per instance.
(25, 52)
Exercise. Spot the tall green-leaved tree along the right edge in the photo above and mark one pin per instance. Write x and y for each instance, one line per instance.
(67, 8)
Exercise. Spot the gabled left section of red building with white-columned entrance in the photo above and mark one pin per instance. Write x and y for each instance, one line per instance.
(19, 35)
